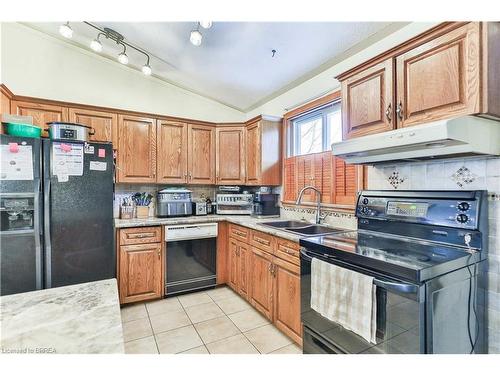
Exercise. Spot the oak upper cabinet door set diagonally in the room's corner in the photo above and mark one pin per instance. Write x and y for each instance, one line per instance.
(230, 152)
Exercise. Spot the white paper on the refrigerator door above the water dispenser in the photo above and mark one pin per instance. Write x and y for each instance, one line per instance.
(16, 165)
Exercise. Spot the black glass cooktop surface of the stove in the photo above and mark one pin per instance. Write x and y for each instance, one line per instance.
(398, 257)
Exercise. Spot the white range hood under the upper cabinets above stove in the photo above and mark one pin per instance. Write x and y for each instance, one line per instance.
(462, 136)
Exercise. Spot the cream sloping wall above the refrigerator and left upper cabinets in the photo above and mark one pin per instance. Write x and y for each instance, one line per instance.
(34, 64)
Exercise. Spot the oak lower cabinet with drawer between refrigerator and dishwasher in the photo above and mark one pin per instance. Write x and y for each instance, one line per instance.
(140, 265)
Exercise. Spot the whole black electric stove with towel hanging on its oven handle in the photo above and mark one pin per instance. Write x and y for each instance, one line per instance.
(427, 254)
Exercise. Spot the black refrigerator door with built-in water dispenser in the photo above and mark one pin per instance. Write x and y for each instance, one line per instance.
(20, 220)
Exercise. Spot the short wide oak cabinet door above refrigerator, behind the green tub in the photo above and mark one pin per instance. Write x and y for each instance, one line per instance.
(41, 113)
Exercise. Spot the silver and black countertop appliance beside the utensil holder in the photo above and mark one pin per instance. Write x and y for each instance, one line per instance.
(174, 202)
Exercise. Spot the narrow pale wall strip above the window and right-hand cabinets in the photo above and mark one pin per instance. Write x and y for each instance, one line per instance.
(326, 80)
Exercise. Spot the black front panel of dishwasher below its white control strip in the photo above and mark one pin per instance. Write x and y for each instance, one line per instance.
(191, 265)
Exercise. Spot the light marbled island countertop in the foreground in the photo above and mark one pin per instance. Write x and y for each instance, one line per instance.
(79, 319)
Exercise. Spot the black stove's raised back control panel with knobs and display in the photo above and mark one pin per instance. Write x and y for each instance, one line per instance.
(444, 208)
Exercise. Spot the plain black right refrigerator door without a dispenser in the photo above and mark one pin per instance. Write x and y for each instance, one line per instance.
(78, 216)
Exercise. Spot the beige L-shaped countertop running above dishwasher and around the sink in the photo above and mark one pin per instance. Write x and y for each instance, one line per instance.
(244, 220)
